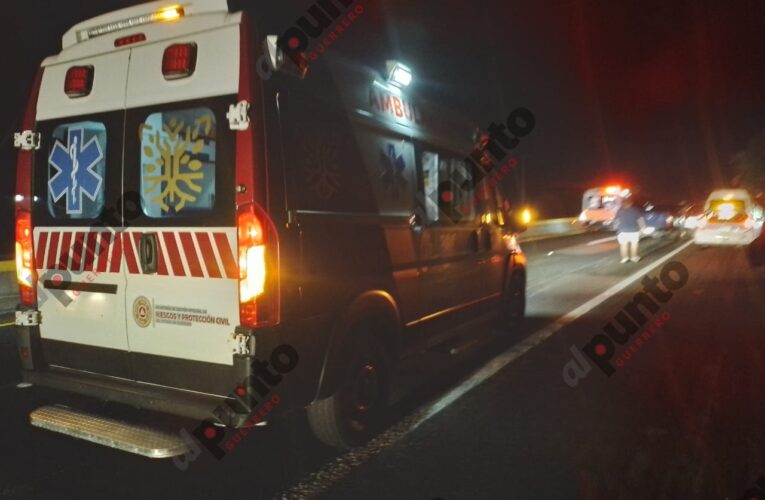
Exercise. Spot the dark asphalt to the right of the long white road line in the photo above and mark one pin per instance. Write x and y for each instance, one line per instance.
(683, 418)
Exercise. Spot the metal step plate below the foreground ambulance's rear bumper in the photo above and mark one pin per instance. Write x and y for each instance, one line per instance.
(107, 432)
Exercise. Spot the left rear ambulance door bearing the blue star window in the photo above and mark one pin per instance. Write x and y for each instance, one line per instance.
(76, 214)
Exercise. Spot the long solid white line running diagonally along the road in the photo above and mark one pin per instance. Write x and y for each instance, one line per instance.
(335, 471)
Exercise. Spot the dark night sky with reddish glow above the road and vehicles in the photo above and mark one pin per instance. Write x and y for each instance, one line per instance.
(660, 94)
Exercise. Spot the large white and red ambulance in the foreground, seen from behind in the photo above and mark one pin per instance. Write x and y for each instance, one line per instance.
(190, 197)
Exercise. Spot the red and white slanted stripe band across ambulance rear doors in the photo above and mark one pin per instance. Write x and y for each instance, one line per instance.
(196, 254)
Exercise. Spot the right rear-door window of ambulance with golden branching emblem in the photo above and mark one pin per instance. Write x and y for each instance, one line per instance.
(178, 155)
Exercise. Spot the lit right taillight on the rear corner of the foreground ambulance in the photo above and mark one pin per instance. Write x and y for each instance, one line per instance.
(258, 256)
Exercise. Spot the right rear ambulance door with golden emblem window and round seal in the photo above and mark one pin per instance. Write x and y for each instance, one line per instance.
(182, 274)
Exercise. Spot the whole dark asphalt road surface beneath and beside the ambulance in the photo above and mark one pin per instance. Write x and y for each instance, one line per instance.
(684, 418)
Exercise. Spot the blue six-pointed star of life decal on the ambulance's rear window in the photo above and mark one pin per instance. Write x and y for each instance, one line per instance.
(74, 164)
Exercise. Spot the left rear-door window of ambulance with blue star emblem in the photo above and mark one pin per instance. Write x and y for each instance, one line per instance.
(77, 170)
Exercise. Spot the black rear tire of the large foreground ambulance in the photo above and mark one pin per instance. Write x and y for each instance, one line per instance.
(357, 409)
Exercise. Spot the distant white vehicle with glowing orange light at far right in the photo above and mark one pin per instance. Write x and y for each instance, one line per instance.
(731, 218)
